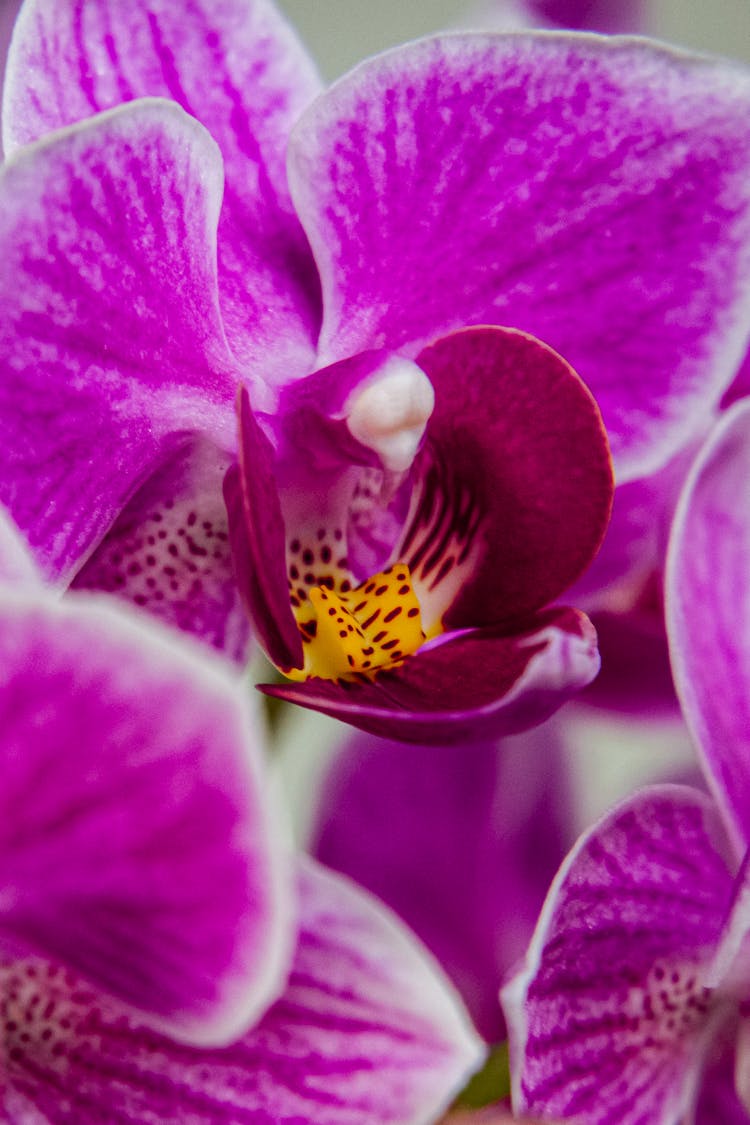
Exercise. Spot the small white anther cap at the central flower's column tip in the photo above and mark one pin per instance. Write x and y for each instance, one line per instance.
(391, 412)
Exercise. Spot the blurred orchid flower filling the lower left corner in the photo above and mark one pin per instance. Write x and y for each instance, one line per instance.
(148, 916)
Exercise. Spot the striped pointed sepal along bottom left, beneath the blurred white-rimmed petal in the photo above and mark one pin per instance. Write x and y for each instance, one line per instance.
(367, 1033)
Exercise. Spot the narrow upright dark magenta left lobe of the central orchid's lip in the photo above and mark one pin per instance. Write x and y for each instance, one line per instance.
(257, 534)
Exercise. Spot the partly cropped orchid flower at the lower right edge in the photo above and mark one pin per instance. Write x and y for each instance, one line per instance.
(635, 995)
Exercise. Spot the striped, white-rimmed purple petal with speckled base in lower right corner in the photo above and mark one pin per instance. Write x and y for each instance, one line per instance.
(610, 1018)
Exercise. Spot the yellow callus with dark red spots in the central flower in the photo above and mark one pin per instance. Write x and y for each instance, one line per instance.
(355, 634)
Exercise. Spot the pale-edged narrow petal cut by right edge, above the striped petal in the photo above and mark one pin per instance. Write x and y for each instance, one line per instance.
(708, 591)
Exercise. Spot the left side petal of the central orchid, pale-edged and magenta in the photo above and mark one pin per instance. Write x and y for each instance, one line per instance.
(112, 340)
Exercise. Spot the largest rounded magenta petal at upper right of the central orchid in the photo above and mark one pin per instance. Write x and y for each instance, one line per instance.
(592, 193)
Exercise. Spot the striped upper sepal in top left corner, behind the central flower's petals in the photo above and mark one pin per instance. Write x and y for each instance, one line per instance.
(240, 70)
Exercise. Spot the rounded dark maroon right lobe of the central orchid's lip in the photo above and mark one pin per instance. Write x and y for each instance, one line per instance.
(521, 456)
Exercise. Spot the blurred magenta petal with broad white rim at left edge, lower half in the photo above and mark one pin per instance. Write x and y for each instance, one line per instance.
(138, 842)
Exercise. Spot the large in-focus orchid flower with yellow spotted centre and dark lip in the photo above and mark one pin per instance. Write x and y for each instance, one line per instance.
(590, 193)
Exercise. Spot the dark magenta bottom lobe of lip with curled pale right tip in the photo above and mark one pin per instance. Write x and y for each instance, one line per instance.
(469, 686)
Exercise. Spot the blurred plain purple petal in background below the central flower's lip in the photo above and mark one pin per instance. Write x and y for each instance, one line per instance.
(468, 842)
